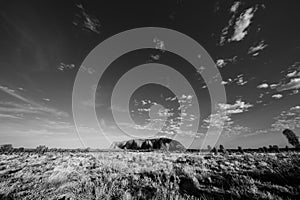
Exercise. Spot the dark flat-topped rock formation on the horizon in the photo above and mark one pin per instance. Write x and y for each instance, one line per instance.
(149, 144)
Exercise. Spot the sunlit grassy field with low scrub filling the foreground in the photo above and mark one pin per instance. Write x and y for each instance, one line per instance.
(150, 175)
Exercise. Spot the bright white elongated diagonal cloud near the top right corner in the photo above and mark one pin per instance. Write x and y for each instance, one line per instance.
(241, 25)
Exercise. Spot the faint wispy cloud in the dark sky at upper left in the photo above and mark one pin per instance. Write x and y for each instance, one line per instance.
(86, 21)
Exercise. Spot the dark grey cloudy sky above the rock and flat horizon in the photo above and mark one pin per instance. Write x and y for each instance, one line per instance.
(255, 46)
